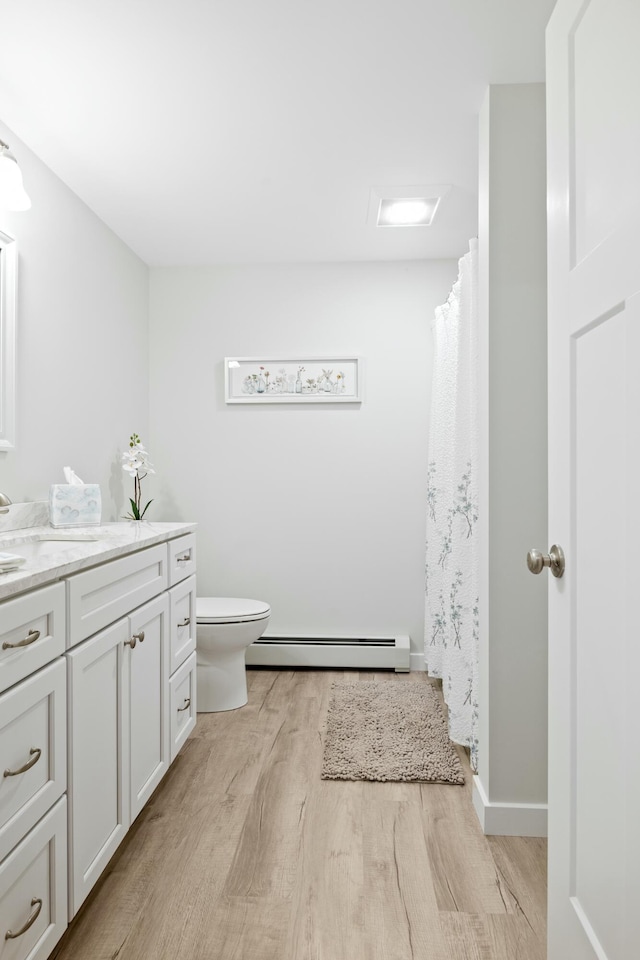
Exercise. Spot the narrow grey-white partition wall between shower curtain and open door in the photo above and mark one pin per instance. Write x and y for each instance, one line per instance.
(513, 640)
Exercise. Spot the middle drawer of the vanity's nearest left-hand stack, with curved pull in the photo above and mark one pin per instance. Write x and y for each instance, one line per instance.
(33, 752)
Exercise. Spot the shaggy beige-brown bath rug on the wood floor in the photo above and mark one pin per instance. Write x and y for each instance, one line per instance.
(388, 731)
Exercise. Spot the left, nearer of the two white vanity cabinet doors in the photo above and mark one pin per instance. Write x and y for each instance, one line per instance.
(99, 812)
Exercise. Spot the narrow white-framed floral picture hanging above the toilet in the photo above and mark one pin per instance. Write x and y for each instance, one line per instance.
(266, 380)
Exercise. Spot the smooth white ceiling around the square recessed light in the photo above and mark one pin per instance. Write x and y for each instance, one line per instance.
(207, 131)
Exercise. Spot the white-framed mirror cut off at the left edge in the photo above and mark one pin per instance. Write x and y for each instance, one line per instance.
(8, 288)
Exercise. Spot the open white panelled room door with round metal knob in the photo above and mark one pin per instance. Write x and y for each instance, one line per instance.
(593, 131)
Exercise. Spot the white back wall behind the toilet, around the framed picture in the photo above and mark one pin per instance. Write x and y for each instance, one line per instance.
(318, 509)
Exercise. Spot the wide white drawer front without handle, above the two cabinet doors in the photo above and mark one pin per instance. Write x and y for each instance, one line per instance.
(101, 595)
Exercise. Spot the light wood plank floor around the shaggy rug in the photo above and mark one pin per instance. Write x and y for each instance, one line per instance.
(244, 853)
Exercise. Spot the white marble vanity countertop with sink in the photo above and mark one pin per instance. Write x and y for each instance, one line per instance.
(61, 555)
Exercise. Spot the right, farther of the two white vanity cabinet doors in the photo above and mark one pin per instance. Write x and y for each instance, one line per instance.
(148, 699)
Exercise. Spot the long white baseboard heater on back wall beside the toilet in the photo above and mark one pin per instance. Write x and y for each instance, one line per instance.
(366, 653)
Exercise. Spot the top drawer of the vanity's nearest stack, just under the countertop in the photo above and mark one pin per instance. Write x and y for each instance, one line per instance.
(32, 633)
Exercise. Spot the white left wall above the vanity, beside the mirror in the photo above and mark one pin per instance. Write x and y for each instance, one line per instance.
(82, 350)
